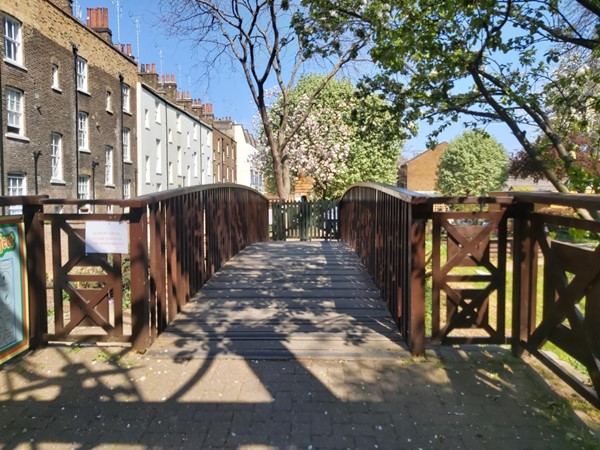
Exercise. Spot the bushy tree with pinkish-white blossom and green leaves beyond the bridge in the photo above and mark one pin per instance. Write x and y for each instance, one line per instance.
(346, 137)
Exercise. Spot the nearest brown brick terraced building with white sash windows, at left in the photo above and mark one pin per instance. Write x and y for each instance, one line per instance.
(68, 104)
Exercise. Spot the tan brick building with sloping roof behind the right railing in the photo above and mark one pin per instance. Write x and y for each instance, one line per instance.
(420, 173)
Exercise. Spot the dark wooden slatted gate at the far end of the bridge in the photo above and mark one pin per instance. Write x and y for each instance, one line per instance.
(305, 220)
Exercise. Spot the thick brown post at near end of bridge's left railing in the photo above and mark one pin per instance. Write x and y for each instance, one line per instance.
(140, 293)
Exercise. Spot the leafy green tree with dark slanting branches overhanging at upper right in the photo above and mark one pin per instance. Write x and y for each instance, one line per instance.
(488, 61)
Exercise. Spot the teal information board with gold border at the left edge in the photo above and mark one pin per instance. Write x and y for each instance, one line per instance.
(14, 302)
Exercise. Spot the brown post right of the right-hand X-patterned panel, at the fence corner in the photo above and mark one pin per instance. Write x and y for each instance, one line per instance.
(524, 277)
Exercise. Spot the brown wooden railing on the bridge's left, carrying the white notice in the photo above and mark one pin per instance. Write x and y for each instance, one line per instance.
(176, 241)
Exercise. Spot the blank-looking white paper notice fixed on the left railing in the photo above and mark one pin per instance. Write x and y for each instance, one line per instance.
(106, 237)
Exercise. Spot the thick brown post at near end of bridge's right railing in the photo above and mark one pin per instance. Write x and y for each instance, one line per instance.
(416, 307)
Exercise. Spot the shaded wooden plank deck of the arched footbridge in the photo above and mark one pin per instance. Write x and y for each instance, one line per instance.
(286, 300)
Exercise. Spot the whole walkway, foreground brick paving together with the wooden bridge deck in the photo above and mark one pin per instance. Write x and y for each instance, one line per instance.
(281, 362)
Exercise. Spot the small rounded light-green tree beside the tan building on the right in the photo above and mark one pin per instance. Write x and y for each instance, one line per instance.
(473, 164)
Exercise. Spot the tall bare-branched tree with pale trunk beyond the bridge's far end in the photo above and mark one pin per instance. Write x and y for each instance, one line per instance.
(262, 37)
